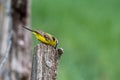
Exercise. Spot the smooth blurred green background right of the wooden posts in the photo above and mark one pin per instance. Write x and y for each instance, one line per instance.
(89, 33)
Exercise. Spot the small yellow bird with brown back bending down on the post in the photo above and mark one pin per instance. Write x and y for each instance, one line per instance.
(44, 37)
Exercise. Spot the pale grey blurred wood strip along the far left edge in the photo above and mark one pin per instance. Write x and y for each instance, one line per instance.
(5, 38)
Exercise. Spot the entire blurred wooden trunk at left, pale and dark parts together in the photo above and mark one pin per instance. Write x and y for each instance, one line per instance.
(15, 14)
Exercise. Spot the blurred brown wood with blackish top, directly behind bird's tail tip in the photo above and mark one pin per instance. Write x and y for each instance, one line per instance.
(20, 58)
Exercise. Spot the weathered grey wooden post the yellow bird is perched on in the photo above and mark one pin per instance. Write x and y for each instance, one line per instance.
(45, 62)
